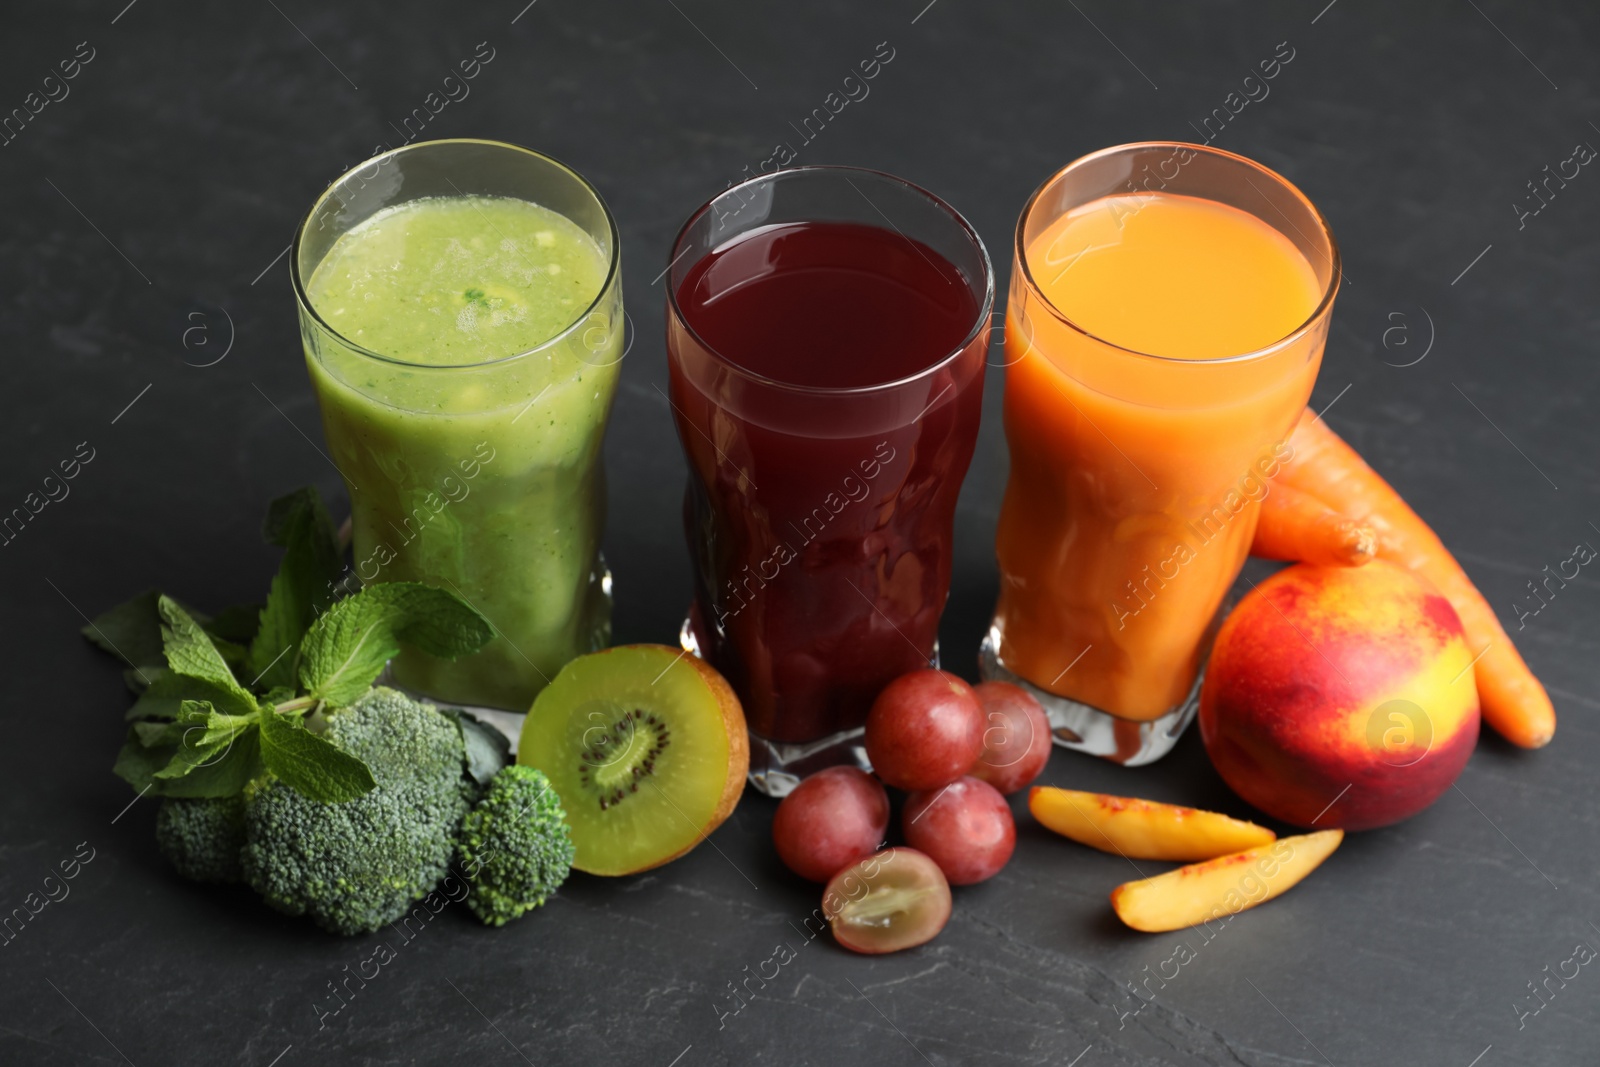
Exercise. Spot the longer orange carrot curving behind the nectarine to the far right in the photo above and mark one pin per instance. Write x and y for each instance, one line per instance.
(1324, 466)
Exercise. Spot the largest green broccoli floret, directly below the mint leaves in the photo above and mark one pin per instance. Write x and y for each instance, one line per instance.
(361, 865)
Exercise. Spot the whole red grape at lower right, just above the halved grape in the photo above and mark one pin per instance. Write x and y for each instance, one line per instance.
(966, 828)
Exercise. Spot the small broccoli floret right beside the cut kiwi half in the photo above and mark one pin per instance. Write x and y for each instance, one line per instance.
(514, 845)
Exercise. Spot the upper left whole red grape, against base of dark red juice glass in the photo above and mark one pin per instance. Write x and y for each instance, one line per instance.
(926, 730)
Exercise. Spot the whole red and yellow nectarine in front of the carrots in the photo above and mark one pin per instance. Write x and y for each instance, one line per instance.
(1340, 697)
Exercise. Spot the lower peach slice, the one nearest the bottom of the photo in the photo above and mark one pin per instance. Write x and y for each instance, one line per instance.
(1222, 887)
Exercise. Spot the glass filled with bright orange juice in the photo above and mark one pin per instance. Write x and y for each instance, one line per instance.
(1169, 313)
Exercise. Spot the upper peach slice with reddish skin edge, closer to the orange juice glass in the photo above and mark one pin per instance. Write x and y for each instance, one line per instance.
(1143, 829)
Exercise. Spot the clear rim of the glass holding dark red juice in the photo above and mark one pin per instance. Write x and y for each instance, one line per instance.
(986, 305)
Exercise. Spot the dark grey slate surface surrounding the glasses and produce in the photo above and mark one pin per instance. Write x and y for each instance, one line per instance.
(158, 198)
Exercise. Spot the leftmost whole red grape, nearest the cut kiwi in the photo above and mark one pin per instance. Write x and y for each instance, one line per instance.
(830, 821)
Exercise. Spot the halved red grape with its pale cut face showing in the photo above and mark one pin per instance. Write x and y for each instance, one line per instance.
(886, 903)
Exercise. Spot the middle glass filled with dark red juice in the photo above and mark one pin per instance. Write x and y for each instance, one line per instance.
(826, 334)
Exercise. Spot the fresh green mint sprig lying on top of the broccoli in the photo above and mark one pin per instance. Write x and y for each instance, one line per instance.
(199, 732)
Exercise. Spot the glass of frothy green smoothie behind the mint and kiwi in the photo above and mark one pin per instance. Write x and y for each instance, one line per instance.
(463, 319)
